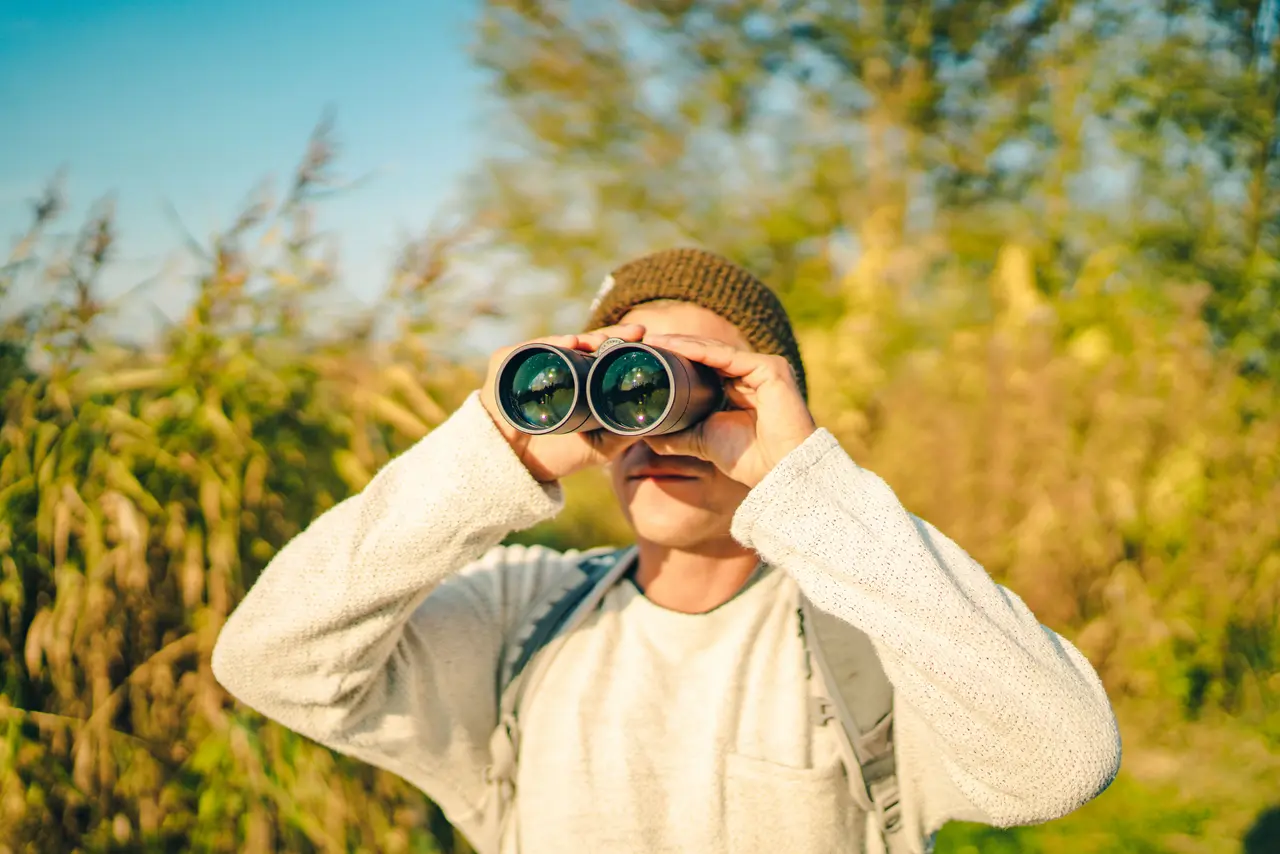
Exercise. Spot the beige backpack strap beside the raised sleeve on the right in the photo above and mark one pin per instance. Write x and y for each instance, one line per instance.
(857, 693)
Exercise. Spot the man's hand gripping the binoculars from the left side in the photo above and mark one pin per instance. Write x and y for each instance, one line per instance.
(551, 458)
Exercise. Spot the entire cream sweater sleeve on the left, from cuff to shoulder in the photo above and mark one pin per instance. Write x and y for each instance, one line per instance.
(380, 629)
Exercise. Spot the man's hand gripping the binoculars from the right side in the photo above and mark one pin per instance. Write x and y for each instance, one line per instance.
(770, 419)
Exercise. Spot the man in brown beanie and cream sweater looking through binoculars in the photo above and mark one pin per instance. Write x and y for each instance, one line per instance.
(675, 719)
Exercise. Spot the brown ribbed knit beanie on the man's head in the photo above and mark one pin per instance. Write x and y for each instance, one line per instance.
(711, 282)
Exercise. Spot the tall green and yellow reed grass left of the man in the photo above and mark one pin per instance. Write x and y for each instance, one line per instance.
(141, 492)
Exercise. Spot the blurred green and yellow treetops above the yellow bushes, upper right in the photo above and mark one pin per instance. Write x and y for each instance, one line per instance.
(788, 136)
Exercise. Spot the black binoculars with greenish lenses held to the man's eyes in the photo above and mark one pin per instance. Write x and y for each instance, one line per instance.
(627, 389)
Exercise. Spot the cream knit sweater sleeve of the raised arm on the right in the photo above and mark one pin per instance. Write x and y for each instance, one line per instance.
(1004, 721)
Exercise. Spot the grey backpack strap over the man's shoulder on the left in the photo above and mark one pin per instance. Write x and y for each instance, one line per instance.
(561, 613)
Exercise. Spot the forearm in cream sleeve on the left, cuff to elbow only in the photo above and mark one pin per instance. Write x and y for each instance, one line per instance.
(328, 611)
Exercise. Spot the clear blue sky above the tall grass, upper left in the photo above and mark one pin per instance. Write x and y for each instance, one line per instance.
(195, 103)
